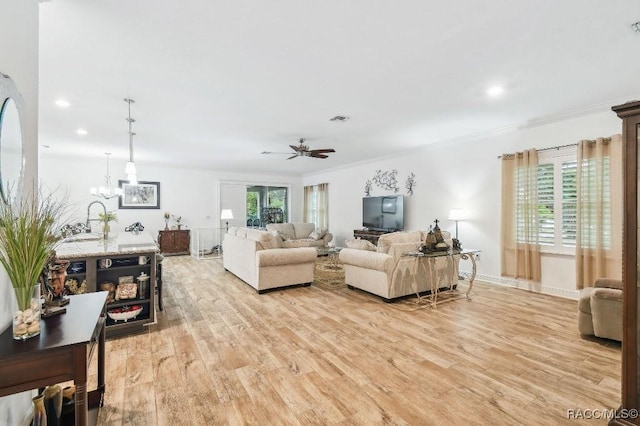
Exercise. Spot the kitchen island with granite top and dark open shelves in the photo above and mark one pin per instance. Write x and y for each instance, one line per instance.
(125, 266)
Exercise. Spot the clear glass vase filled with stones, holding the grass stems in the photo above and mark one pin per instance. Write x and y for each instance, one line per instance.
(26, 317)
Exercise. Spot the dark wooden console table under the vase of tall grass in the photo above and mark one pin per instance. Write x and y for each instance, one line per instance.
(60, 353)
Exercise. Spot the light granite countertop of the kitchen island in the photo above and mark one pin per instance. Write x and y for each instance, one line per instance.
(88, 245)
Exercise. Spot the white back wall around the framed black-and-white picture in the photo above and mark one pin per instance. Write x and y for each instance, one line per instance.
(190, 193)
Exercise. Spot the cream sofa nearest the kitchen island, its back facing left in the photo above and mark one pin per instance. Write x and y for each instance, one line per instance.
(256, 257)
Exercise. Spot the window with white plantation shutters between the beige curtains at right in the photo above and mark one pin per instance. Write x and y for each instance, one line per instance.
(556, 201)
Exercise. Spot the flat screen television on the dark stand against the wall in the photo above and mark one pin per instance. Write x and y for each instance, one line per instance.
(384, 213)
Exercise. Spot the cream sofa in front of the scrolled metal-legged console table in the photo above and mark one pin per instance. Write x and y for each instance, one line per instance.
(384, 271)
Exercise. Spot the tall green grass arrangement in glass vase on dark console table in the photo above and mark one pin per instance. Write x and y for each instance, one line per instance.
(28, 237)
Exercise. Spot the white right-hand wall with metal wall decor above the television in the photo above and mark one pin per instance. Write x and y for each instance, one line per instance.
(463, 174)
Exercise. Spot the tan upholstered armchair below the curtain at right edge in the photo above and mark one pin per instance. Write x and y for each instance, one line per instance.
(600, 309)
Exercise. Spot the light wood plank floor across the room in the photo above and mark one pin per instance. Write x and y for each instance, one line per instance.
(222, 354)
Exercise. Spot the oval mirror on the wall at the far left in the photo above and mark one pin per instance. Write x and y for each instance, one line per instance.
(11, 146)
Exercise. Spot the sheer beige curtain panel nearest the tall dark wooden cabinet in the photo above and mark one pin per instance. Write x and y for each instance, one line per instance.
(599, 212)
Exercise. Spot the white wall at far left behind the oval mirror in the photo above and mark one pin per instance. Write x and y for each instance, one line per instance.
(19, 60)
